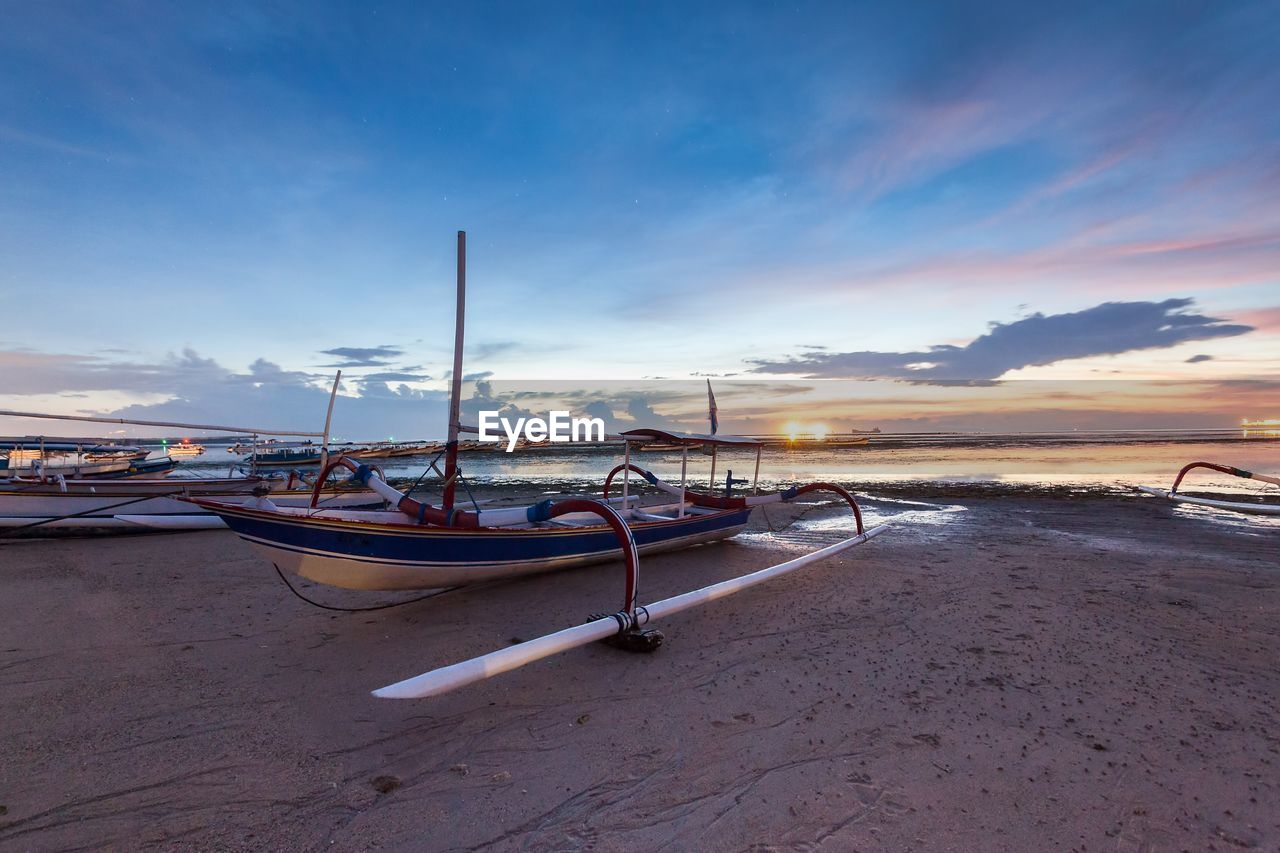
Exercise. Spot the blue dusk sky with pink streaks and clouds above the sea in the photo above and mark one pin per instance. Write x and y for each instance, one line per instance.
(208, 209)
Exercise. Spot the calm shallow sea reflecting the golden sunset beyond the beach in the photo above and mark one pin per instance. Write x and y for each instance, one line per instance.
(1095, 464)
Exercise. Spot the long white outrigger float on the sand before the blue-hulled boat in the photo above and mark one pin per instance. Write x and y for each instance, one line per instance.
(478, 669)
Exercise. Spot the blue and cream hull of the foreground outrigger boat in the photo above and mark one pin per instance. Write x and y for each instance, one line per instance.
(381, 556)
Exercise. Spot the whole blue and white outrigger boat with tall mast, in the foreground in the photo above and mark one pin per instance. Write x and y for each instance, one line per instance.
(419, 546)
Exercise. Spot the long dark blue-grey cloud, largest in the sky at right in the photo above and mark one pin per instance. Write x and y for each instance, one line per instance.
(1110, 329)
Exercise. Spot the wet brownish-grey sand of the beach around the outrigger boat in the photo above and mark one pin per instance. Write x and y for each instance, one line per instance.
(1030, 673)
